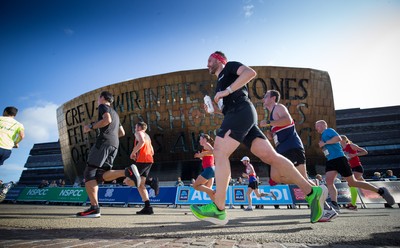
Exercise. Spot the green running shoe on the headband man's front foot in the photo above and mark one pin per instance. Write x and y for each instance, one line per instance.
(209, 213)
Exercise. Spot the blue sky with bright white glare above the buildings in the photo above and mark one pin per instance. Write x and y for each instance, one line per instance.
(52, 51)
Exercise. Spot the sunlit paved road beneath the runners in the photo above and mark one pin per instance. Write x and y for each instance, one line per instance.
(55, 226)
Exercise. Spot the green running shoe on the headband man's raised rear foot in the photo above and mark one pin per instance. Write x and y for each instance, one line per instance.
(316, 202)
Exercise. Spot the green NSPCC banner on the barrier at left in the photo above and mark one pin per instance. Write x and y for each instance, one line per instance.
(53, 194)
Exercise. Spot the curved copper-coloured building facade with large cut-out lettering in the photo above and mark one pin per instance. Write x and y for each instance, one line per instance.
(171, 105)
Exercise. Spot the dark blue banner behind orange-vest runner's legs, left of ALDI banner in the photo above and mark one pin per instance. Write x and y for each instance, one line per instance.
(166, 196)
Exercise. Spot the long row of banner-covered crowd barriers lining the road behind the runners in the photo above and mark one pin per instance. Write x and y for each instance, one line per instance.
(185, 195)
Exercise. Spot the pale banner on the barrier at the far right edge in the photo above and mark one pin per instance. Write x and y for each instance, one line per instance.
(372, 197)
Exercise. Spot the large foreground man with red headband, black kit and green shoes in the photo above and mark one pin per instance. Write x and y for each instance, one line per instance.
(240, 125)
